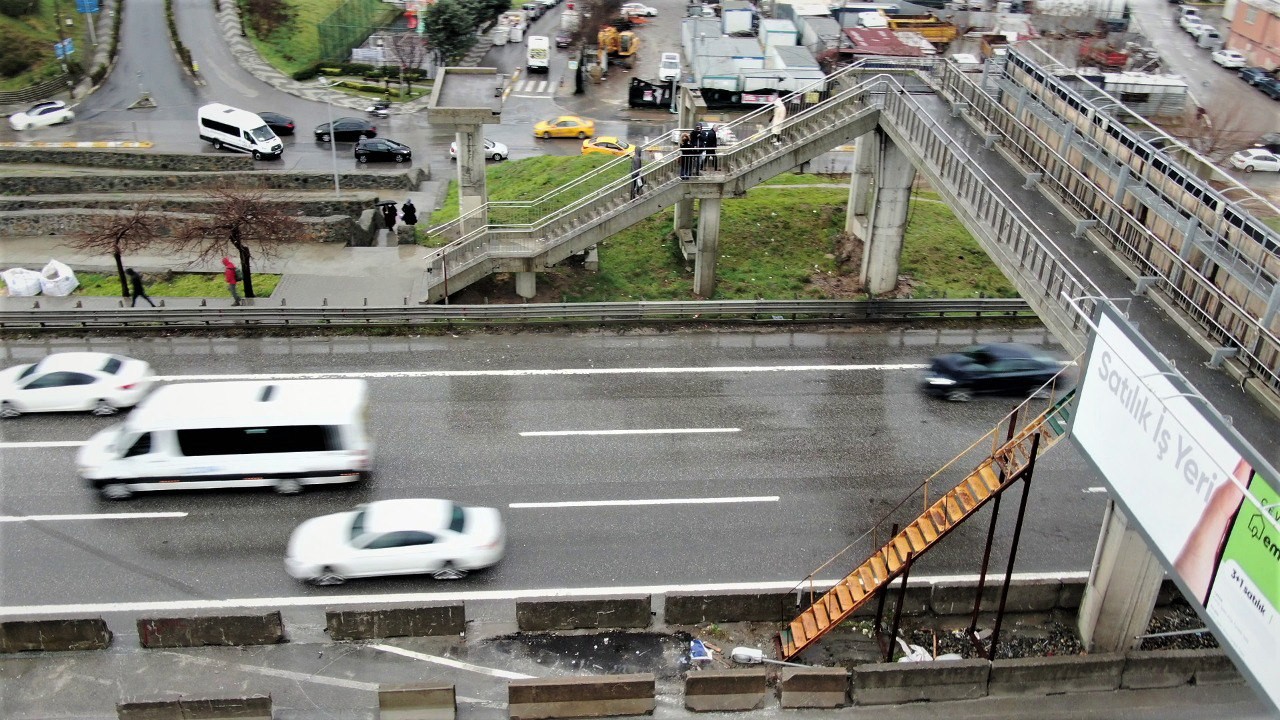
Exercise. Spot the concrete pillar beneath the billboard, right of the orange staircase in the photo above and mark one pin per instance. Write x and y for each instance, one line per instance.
(1122, 591)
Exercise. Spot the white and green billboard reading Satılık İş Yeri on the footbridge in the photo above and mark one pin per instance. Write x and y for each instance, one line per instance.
(1204, 499)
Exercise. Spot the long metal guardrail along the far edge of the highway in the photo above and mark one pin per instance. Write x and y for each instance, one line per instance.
(595, 313)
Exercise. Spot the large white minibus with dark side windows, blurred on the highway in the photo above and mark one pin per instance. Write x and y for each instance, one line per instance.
(235, 435)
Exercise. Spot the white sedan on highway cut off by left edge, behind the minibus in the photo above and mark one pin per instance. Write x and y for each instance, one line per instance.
(98, 382)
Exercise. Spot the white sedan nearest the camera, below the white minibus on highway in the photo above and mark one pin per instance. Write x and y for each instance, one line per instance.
(397, 537)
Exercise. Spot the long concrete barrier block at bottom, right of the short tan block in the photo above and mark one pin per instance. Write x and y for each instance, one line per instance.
(598, 696)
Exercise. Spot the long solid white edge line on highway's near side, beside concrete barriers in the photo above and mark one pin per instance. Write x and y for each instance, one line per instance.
(532, 594)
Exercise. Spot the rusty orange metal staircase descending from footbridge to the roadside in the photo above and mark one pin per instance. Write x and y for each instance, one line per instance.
(994, 476)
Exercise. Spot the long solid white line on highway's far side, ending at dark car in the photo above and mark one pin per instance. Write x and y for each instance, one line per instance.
(548, 372)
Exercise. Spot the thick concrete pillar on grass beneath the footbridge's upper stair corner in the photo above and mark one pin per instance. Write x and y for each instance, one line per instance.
(884, 249)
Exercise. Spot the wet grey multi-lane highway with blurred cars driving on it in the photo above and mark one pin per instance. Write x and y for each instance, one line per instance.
(766, 454)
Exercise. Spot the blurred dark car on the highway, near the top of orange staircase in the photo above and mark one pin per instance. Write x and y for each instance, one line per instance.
(1000, 368)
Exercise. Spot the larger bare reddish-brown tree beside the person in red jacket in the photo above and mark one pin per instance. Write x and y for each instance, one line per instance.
(249, 222)
